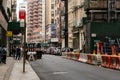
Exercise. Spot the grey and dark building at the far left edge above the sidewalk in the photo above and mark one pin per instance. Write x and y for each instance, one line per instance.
(5, 15)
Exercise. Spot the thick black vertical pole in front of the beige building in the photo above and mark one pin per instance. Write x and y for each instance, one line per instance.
(66, 22)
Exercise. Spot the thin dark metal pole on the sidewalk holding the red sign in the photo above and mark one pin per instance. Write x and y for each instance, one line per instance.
(24, 55)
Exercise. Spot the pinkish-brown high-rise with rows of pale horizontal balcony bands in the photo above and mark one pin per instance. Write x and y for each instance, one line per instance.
(35, 13)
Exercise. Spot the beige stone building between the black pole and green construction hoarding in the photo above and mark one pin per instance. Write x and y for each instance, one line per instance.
(76, 14)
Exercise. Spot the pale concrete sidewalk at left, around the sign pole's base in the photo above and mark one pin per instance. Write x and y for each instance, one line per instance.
(13, 70)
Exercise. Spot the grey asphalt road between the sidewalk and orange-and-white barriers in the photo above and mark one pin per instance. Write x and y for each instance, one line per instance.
(52, 67)
